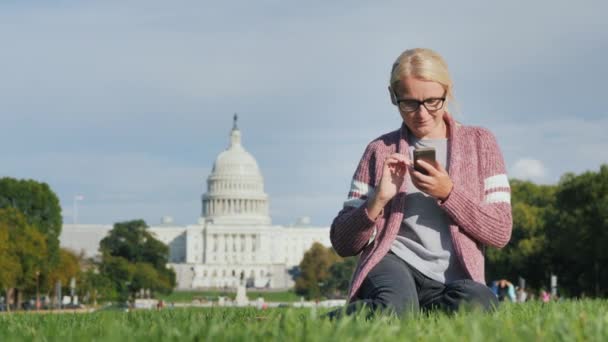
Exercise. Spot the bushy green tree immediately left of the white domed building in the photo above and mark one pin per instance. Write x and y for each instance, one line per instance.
(133, 259)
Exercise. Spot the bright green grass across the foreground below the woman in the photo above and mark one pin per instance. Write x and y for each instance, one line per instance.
(564, 321)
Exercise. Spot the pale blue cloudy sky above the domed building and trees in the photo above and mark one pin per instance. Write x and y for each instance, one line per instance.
(128, 103)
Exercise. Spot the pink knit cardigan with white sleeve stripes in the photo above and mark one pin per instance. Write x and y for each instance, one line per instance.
(478, 206)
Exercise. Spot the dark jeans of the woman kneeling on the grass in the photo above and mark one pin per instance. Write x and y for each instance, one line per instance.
(394, 286)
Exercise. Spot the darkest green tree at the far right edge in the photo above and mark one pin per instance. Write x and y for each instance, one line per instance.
(579, 232)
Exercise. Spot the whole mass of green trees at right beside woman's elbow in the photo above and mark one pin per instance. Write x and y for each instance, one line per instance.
(558, 229)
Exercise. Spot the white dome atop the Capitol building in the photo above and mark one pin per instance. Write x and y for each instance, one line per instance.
(235, 189)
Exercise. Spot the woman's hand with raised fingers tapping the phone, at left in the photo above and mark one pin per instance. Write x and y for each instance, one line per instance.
(393, 175)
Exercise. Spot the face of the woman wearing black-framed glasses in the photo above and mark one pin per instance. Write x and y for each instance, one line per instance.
(424, 123)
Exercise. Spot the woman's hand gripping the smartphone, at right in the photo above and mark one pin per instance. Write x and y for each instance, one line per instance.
(437, 183)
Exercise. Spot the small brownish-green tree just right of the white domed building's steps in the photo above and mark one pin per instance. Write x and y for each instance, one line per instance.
(314, 269)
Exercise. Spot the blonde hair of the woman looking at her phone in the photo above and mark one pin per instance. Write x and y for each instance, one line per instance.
(424, 64)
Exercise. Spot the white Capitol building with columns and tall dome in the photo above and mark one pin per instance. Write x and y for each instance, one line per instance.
(234, 237)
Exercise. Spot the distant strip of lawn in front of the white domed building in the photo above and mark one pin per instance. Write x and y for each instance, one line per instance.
(188, 296)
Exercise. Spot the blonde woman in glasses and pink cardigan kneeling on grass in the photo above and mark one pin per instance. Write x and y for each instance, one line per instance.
(419, 235)
